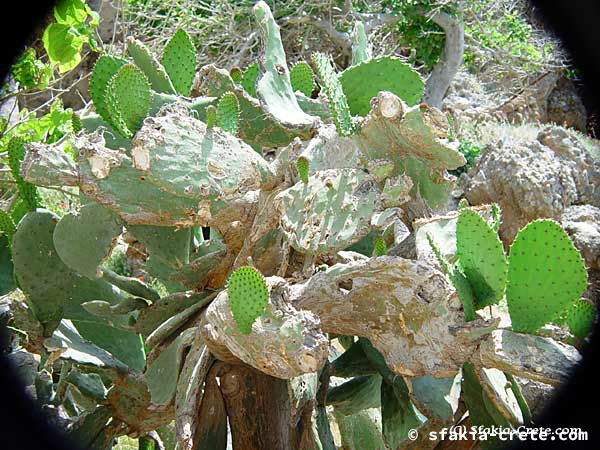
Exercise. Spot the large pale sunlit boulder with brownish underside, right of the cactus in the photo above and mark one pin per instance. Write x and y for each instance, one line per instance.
(531, 180)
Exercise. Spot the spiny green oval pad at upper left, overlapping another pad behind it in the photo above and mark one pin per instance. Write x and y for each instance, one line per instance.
(128, 98)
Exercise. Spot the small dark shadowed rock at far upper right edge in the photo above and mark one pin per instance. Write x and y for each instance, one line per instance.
(565, 106)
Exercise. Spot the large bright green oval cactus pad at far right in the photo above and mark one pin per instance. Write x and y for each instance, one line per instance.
(545, 275)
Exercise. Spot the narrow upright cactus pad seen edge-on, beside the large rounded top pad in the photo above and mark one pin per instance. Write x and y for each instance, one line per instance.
(340, 112)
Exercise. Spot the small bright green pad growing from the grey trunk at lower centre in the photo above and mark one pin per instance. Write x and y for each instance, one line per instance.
(248, 296)
